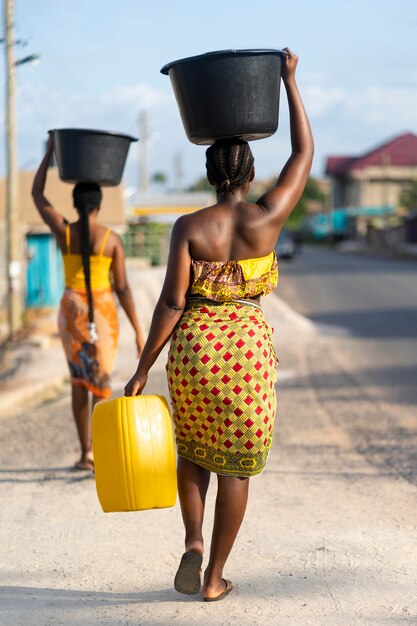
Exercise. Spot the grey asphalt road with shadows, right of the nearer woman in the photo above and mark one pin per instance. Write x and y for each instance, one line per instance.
(366, 312)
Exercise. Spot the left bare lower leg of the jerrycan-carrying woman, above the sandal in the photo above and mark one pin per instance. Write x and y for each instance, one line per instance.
(193, 482)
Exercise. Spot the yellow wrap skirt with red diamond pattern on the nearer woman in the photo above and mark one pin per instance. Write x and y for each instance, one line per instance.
(221, 376)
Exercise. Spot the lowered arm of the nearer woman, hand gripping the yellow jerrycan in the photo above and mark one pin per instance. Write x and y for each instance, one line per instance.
(169, 307)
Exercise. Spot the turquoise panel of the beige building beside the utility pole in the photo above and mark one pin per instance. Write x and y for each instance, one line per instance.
(44, 274)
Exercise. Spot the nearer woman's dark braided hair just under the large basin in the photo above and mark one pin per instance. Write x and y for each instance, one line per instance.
(229, 164)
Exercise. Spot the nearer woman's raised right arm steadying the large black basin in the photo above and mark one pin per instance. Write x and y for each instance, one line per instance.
(282, 199)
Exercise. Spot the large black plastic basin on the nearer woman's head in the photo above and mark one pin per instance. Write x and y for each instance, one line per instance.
(229, 93)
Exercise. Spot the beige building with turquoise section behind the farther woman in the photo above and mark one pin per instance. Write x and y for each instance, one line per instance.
(41, 262)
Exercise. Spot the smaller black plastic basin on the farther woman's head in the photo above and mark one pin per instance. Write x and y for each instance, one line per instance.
(87, 156)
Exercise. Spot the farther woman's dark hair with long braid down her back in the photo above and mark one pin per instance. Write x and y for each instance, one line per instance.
(87, 197)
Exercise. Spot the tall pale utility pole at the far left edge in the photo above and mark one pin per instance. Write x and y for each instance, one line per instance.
(13, 231)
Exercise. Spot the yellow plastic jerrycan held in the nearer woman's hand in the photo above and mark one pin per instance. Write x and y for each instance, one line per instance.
(134, 454)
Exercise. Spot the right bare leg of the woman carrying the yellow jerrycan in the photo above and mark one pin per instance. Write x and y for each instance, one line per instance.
(232, 497)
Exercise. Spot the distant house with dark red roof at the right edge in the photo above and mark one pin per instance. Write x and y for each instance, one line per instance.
(375, 178)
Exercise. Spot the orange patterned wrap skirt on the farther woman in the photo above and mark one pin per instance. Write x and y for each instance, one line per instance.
(90, 364)
